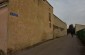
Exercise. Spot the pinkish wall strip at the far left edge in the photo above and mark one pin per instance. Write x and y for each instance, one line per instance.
(3, 28)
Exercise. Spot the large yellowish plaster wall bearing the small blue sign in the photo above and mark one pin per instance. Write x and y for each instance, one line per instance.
(28, 23)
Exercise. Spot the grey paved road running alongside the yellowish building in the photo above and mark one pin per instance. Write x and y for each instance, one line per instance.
(60, 46)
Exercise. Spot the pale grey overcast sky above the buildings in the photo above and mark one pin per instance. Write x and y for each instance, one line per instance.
(70, 11)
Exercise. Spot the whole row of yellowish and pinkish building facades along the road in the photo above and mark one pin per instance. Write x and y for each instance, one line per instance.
(24, 23)
